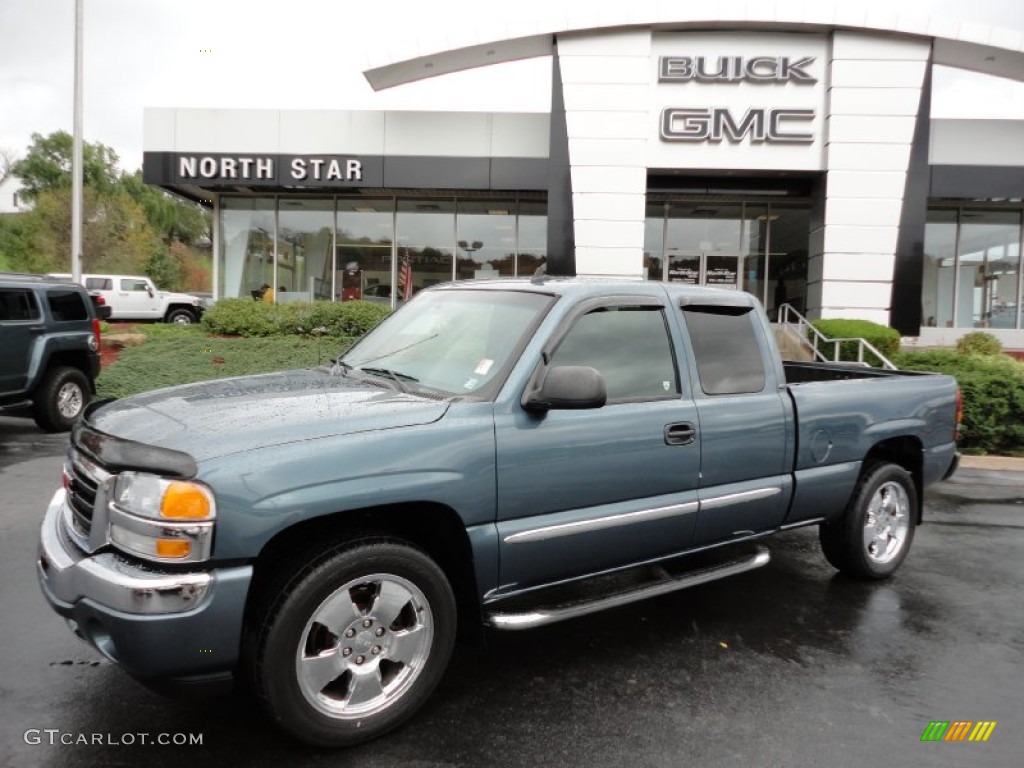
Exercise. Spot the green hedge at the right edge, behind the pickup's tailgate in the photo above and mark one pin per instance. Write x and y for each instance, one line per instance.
(994, 397)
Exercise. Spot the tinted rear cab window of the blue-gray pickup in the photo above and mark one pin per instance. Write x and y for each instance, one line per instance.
(727, 349)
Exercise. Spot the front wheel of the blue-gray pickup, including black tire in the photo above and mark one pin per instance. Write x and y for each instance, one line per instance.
(356, 644)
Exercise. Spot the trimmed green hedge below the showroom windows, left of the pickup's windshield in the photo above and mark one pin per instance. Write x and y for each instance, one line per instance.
(248, 318)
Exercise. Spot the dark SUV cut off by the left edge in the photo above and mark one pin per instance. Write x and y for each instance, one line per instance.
(50, 349)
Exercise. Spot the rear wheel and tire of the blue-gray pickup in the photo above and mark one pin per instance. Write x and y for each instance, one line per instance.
(875, 535)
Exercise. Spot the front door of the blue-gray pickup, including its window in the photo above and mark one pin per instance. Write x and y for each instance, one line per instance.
(580, 492)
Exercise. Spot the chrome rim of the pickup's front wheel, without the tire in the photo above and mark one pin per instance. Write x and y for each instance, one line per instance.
(365, 647)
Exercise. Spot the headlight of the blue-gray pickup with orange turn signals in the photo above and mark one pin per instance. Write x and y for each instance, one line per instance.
(162, 519)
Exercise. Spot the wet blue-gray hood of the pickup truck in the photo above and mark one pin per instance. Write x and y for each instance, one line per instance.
(228, 416)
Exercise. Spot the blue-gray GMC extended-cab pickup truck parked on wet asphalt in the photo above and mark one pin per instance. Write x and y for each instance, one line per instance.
(497, 454)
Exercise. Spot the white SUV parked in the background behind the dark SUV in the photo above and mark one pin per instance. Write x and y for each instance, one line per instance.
(136, 298)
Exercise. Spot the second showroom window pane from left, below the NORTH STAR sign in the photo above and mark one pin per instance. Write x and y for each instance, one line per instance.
(306, 230)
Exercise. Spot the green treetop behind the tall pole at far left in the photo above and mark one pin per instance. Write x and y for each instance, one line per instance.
(48, 165)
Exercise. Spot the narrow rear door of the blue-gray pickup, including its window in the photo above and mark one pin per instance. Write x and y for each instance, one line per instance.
(744, 416)
